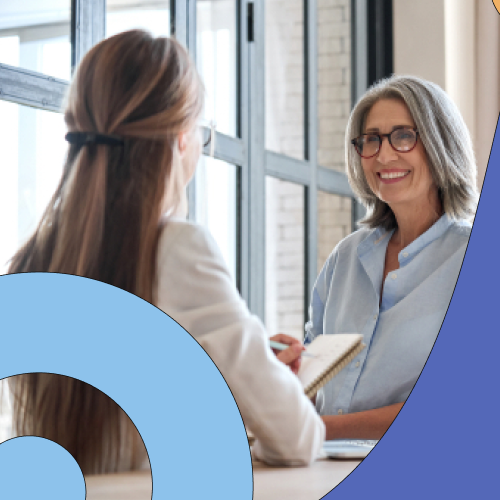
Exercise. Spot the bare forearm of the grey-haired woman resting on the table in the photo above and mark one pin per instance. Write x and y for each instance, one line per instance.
(369, 424)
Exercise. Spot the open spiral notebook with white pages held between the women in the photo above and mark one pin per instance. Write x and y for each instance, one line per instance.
(331, 353)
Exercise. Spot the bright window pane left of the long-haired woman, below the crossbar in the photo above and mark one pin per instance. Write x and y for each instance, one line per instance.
(28, 174)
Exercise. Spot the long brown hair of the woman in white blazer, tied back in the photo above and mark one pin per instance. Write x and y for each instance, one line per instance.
(103, 221)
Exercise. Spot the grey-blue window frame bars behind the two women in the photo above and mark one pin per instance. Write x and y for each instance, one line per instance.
(247, 151)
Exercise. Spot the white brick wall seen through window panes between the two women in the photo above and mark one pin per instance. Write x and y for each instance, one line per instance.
(285, 134)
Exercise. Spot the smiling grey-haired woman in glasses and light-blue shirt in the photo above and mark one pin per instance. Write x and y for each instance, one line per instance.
(410, 162)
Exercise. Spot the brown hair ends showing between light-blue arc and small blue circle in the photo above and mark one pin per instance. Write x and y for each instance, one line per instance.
(95, 429)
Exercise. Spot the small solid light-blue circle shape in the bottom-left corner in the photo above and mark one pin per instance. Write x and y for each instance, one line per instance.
(33, 467)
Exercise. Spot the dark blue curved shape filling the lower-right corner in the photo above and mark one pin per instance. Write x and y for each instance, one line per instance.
(445, 442)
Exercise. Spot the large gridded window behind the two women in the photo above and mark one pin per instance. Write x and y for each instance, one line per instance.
(280, 79)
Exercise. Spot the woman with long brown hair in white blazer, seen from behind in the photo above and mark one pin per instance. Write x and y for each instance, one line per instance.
(132, 115)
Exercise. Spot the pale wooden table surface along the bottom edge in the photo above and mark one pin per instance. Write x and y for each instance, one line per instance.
(270, 483)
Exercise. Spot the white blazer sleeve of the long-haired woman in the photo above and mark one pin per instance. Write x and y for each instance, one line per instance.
(194, 288)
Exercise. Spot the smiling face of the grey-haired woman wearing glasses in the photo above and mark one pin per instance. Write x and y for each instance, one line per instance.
(402, 180)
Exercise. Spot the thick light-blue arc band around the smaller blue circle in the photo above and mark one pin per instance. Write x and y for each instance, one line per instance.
(143, 360)
